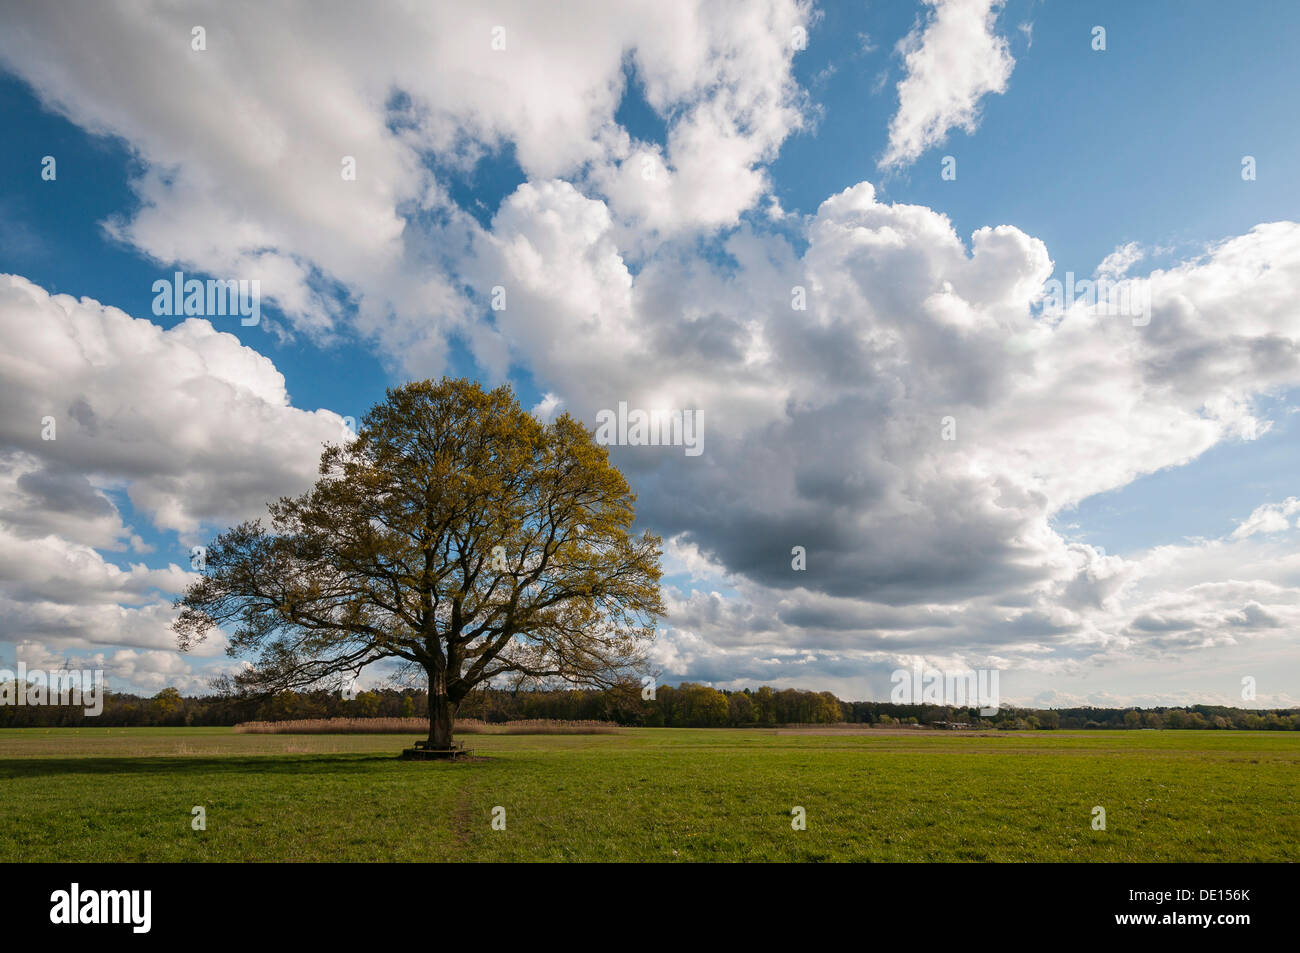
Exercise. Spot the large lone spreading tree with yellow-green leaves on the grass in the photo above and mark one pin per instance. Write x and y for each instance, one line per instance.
(456, 532)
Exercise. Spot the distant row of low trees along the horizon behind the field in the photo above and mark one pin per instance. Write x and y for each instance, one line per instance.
(686, 707)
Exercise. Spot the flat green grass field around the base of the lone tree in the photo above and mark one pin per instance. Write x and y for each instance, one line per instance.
(652, 795)
